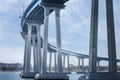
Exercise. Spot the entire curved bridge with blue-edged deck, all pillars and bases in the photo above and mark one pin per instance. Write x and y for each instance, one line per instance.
(36, 15)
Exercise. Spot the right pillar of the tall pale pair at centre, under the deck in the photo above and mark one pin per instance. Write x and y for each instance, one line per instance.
(58, 36)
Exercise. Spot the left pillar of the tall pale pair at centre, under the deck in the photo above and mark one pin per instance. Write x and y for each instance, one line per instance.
(45, 41)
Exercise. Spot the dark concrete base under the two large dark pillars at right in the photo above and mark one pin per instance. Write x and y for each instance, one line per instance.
(104, 76)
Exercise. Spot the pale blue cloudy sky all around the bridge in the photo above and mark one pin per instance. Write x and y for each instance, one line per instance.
(75, 27)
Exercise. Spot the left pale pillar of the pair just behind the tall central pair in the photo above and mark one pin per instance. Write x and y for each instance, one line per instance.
(29, 47)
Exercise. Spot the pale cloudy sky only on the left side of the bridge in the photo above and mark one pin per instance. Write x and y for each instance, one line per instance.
(11, 42)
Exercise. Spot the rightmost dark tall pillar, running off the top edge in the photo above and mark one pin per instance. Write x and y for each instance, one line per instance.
(111, 36)
